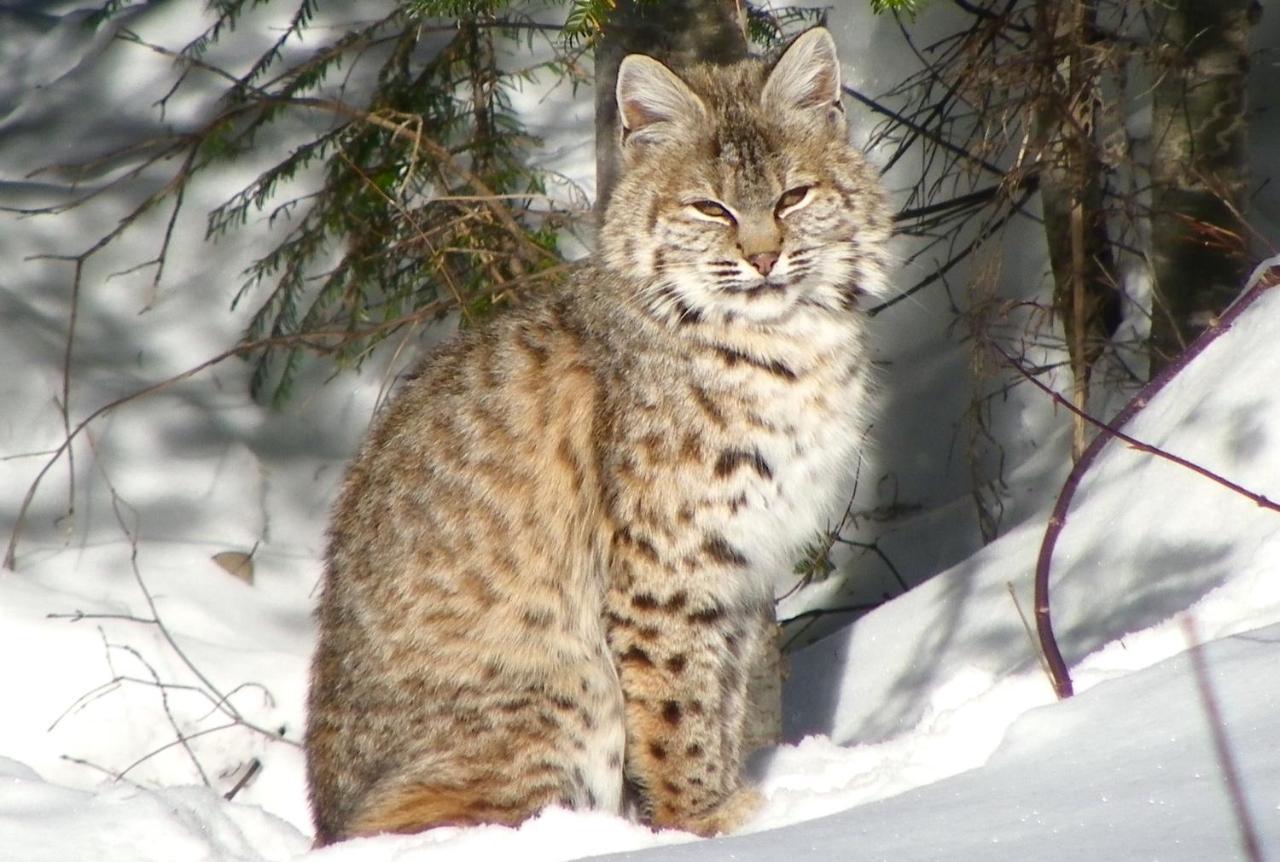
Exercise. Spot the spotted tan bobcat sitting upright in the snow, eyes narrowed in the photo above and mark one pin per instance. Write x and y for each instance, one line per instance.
(551, 562)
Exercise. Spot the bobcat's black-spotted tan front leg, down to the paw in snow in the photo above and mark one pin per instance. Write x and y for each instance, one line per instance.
(684, 655)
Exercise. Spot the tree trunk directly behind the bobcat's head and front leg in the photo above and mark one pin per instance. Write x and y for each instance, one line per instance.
(679, 34)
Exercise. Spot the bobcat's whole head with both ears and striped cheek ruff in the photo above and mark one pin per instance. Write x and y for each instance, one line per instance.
(743, 203)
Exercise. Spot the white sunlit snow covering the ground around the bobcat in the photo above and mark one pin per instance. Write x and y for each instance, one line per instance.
(924, 731)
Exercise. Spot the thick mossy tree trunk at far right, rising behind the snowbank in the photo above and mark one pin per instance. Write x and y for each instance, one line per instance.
(1199, 168)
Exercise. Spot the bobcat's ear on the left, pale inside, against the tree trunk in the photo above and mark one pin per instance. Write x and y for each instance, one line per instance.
(653, 103)
